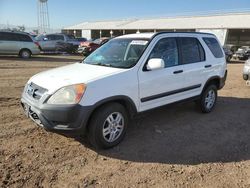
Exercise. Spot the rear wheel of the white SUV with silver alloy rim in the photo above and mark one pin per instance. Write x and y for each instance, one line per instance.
(208, 99)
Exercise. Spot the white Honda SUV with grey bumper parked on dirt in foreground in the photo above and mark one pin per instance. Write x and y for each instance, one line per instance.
(129, 74)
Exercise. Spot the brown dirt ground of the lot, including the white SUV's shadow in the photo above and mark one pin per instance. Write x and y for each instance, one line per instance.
(174, 146)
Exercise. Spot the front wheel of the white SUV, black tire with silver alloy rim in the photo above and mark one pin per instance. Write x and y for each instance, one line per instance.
(108, 126)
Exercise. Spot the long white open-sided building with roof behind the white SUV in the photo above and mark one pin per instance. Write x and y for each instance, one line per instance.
(232, 28)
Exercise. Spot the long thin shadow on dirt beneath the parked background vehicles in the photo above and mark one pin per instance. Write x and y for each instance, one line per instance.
(47, 58)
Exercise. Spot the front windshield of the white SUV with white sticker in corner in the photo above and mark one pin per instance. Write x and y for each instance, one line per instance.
(119, 53)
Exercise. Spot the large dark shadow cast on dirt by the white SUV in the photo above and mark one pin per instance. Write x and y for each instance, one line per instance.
(179, 134)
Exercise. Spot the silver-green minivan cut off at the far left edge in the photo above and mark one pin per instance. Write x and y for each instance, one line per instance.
(18, 43)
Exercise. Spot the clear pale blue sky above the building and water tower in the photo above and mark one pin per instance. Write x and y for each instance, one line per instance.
(64, 13)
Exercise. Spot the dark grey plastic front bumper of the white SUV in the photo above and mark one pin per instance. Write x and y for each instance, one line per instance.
(66, 119)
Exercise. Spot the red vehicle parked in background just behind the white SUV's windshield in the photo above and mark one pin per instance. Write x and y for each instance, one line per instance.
(88, 47)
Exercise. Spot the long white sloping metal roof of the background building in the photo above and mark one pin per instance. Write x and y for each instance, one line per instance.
(229, 21)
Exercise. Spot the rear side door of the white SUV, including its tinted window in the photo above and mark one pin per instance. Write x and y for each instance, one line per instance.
(194, 66)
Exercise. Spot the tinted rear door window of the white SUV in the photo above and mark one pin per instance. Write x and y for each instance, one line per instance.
(191, 50)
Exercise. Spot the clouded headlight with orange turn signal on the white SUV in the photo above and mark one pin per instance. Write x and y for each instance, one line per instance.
(68, 95)
